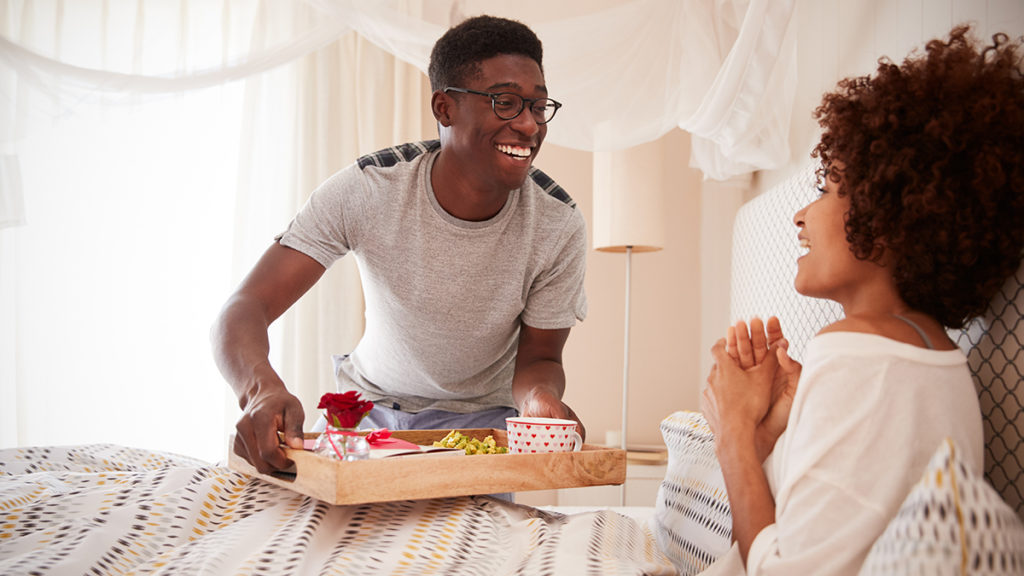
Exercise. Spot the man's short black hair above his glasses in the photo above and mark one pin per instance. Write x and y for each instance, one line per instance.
(457, 56)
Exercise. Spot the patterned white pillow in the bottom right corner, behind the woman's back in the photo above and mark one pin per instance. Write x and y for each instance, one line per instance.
(952, 523)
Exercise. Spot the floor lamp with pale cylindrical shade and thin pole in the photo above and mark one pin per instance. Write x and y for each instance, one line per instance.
(628, 218)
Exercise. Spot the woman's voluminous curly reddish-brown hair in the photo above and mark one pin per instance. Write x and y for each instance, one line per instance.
(934, 167)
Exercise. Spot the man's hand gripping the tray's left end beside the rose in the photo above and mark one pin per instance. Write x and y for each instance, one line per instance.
(268, 410)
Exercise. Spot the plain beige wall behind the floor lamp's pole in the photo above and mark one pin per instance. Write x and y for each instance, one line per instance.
(665, 308)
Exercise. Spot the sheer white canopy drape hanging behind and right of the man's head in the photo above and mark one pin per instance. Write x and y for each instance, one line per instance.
(628, 72)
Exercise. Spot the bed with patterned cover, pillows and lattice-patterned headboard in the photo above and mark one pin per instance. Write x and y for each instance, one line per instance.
(104, 509)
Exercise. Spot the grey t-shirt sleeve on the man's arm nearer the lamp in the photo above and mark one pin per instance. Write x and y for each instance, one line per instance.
(557, 299)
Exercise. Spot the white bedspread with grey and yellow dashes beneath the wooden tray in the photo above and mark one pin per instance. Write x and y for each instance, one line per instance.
(103, 509)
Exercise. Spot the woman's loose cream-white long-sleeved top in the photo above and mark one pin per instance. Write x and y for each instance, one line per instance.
(868, 417)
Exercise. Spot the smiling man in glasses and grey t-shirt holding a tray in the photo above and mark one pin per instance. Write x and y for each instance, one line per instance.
(473, 263)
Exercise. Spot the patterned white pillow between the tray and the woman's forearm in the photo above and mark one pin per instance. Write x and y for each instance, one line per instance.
(693, 519)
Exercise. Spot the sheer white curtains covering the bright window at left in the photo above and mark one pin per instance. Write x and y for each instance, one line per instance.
(145, 208)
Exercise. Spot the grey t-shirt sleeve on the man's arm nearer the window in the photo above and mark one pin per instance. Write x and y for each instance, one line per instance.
(323, 229)
